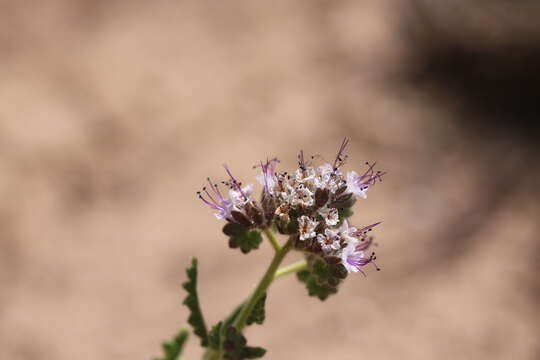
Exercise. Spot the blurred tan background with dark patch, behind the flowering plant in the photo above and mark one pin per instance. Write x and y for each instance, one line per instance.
(112, 114)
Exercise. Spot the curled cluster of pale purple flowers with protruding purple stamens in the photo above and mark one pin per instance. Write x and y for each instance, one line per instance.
(311, 204)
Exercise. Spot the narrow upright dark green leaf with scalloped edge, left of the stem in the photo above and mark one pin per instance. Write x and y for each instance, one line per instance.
(195, 318)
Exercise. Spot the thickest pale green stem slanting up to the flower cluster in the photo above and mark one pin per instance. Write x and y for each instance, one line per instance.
(263, 285)
